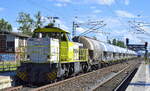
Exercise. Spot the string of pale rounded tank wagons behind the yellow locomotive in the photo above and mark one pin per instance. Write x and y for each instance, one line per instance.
(103, 52)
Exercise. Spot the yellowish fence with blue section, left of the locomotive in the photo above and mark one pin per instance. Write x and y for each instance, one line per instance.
(9, 61)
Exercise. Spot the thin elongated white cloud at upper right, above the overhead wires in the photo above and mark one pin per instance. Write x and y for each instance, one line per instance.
(125, 14)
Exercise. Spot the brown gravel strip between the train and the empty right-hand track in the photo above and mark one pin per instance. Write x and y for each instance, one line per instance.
(87, 81)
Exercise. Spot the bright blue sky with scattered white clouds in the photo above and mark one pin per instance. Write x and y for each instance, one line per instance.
(116, 14)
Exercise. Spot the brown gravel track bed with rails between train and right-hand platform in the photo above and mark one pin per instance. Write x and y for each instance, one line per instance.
(105, 79)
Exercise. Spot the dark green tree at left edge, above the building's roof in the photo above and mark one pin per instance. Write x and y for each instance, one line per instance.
(4, 25)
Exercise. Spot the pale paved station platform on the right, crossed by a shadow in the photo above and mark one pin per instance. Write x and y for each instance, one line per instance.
(141, 80)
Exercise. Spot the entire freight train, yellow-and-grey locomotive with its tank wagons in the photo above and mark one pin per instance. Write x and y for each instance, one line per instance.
(52, 55)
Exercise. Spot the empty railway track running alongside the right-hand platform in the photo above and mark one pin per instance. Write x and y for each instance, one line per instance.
(118, 82)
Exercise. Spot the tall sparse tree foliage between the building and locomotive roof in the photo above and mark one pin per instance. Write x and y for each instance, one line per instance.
(28, 23)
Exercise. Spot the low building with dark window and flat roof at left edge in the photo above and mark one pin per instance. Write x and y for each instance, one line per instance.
(12, 46)
